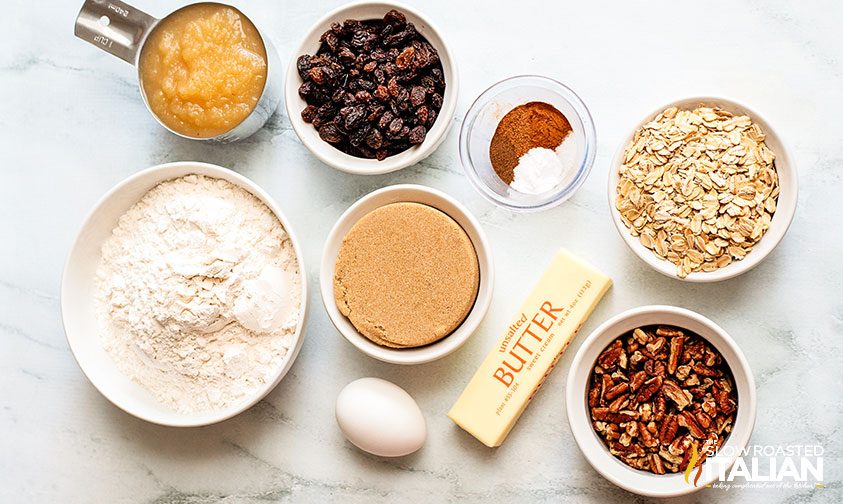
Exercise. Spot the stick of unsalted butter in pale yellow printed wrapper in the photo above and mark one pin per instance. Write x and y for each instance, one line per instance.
(529, 348)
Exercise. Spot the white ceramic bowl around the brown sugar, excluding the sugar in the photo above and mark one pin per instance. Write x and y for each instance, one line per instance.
(442, 202)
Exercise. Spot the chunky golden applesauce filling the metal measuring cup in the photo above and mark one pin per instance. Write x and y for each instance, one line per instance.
(203, 69)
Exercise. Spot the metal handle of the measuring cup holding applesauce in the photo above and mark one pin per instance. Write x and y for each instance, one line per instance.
(115, 27)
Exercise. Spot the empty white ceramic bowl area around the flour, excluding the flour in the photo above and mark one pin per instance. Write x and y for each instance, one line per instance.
(77, 297)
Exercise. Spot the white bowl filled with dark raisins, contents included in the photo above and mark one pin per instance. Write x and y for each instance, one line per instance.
(372, 88)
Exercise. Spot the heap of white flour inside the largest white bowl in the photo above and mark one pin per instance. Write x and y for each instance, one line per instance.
(198, 294)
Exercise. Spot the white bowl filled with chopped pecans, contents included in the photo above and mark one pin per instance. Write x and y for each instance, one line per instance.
(660, 400)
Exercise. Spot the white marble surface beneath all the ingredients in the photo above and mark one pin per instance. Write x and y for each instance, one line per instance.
(72, 125)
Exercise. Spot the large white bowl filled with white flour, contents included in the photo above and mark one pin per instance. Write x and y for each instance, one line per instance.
(184, 295)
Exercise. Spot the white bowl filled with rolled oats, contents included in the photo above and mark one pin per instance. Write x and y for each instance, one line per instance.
(703, 189)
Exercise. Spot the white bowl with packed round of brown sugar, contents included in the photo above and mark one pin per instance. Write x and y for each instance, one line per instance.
(406, 274)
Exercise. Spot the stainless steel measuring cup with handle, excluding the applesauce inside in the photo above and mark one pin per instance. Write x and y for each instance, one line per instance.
(121, 30)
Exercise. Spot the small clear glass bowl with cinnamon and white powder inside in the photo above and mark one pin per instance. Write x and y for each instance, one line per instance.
(527, 143)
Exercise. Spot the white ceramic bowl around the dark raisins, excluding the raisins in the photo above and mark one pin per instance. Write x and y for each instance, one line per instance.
(332, 156)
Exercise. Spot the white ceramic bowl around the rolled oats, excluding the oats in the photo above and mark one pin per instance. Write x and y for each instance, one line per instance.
(788, 185)
